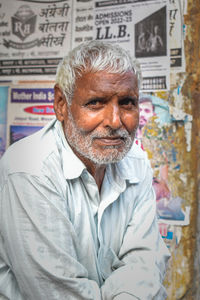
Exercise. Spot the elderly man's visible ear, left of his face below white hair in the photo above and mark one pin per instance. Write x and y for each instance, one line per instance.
(60, 103)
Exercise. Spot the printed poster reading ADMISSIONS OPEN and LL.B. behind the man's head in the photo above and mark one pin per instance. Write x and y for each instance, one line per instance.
(142, 27)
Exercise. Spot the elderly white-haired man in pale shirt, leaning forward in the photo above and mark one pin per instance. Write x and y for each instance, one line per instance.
(77, 205)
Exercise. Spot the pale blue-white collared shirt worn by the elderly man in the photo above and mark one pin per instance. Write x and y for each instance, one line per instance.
(62, 239)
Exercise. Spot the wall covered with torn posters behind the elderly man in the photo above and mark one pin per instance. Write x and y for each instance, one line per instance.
(162, 35)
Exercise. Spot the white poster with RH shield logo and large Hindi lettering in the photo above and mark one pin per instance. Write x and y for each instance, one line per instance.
(34, 36)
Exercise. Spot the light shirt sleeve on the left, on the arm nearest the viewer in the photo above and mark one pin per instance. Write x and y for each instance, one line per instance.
(38, 259)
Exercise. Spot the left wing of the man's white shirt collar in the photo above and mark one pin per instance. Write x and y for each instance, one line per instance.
(72, 165)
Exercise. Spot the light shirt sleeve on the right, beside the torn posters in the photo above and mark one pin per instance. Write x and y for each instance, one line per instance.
(143, 253)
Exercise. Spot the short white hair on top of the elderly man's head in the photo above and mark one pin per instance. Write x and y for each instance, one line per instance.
(93, 56)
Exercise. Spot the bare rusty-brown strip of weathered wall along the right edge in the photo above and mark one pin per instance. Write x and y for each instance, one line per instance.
(184, 268)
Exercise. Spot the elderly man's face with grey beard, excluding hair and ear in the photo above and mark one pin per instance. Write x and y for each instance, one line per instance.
(101, 122)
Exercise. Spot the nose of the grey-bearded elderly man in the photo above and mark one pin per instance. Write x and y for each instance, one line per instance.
(112, 116)
